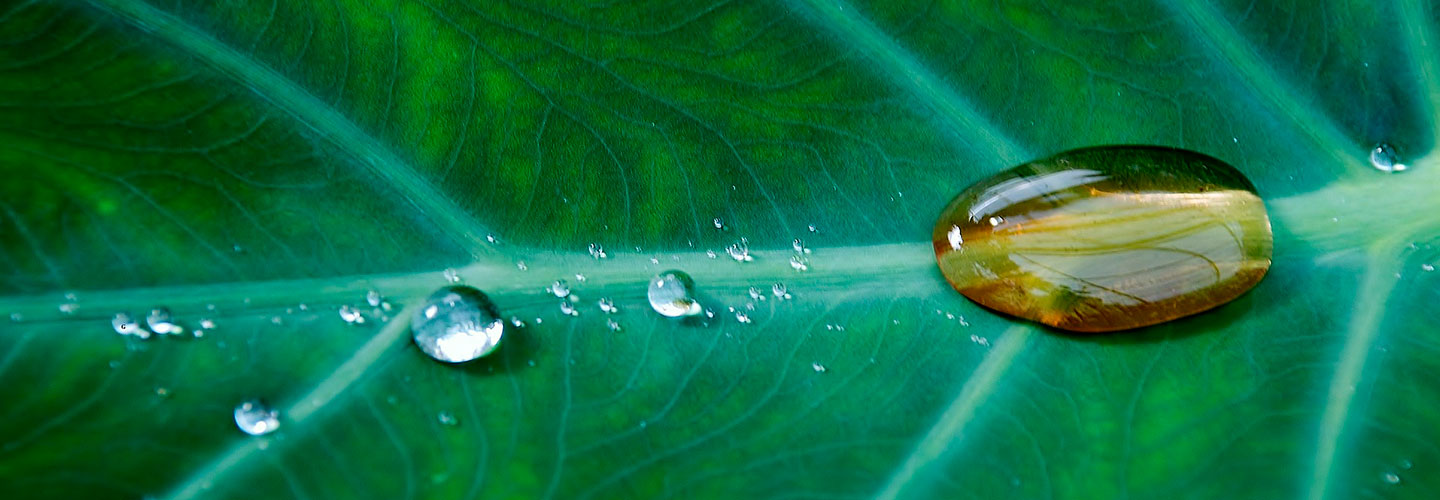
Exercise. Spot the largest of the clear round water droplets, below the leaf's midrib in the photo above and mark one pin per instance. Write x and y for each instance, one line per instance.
(457, 325)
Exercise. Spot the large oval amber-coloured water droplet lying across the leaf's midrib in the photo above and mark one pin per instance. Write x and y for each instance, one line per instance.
(1107, 238)
